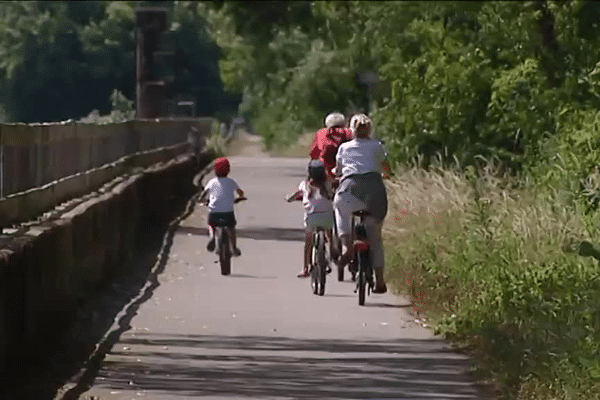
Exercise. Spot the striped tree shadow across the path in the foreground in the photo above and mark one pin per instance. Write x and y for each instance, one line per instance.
(262, 367)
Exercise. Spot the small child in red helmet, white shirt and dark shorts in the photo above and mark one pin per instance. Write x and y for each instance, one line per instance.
(220, 191)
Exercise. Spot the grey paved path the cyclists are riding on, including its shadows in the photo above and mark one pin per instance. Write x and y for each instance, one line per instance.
(260, 333)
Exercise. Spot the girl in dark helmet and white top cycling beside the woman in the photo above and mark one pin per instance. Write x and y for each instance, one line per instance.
(317, 198)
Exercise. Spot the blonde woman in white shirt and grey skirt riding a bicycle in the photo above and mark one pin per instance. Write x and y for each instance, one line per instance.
(361, 164)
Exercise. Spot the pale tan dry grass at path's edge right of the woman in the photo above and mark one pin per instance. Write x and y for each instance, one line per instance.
(421, 203)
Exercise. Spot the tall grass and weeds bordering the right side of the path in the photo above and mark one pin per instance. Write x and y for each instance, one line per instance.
(493, 266)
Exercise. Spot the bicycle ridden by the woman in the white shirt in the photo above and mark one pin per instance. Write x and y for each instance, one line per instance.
(360, 261)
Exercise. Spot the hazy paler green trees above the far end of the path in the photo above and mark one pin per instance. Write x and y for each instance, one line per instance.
(293, 75)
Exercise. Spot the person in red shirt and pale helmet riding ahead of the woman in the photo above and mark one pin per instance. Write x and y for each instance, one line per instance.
(328, 139)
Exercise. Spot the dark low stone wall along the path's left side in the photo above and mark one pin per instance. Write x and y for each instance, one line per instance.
(48, 268)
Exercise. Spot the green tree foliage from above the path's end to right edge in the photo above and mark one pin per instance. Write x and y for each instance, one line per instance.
(465, 79)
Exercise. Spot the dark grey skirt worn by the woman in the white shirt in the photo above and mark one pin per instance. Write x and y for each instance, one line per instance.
(369, 189)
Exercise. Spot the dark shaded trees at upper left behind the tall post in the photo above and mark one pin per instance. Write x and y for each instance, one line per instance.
(62, 59)
